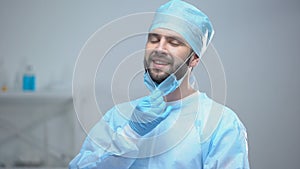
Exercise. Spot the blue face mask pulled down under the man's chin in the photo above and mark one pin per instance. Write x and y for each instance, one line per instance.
(169, 85)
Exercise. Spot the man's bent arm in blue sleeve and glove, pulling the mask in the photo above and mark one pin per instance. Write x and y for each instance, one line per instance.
(114, 141)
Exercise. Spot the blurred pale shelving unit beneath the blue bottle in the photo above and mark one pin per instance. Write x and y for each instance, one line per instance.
(32, 121)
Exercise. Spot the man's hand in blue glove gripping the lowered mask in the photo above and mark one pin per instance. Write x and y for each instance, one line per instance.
(149, 113)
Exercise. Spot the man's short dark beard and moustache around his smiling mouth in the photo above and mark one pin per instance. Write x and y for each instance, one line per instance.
(178, 66)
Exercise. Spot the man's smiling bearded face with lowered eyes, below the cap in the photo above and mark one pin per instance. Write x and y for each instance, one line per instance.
(166, 51)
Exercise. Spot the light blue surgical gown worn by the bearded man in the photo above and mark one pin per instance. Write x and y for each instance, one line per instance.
(214, 140)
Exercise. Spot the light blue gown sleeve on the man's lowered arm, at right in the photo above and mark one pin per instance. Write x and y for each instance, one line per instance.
(228, 148)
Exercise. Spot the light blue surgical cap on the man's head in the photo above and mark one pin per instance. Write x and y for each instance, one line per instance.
(188, 21)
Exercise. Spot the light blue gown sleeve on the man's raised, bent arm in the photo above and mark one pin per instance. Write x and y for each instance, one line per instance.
(106, 146)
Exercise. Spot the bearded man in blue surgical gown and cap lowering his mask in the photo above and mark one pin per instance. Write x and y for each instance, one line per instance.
(175, 126)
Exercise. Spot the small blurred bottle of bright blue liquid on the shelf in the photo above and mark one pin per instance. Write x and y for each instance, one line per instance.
(29, 79)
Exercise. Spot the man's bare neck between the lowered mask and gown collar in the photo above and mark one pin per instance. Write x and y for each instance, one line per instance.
(181, 92)
